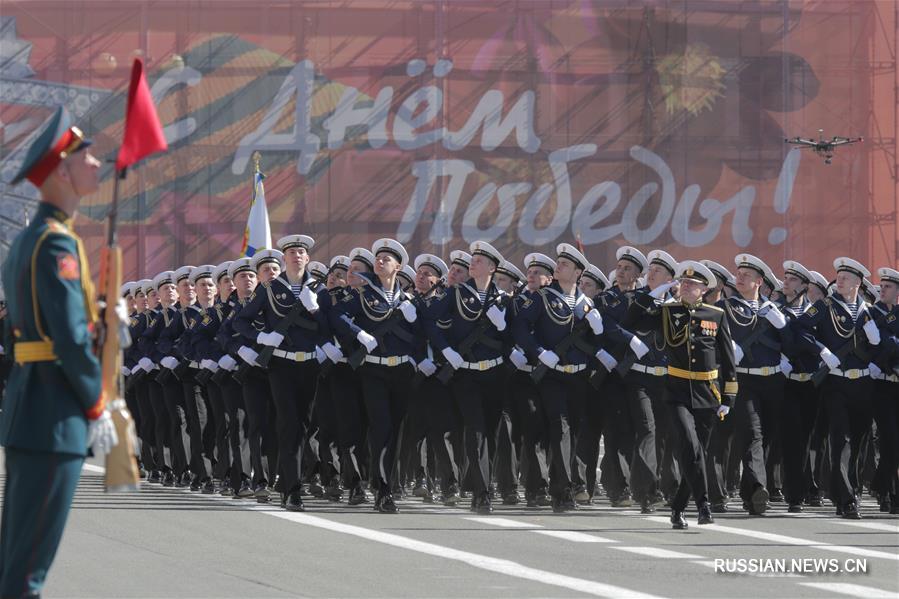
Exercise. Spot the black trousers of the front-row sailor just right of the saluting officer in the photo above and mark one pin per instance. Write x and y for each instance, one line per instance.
(747, 442)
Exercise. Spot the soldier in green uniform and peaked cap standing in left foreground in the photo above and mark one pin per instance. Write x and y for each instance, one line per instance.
(54, 409)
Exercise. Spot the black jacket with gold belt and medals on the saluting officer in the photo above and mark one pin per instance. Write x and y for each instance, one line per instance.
(698, 343)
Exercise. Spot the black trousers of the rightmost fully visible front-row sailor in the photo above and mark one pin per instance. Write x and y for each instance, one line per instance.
(849, 404)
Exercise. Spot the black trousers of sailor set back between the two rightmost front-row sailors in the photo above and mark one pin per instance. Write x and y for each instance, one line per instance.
(800, 405)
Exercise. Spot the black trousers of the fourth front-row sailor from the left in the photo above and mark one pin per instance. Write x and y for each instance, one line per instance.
(562, 401)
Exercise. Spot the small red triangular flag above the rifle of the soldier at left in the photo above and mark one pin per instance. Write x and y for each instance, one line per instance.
(143, 133)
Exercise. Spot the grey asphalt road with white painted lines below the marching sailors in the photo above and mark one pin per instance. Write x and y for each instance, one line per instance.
(164, 542)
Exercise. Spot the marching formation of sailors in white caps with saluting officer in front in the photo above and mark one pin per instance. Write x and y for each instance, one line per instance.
(378, 376)
